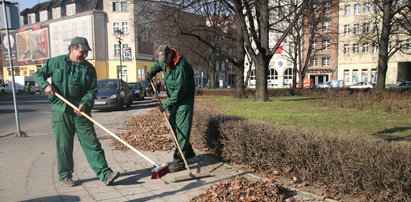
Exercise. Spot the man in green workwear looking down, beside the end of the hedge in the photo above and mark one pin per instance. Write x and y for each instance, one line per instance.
(179, 79)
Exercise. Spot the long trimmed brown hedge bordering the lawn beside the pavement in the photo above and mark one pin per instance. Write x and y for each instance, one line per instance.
(377, 169)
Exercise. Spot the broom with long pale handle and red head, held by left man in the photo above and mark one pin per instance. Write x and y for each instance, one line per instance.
(159, 170)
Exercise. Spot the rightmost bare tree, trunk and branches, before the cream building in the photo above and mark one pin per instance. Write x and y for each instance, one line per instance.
(391, 29)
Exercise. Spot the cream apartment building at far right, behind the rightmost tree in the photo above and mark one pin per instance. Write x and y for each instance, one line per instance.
(358, 45)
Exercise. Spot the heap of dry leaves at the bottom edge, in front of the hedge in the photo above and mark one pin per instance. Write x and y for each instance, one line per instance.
(242, 189)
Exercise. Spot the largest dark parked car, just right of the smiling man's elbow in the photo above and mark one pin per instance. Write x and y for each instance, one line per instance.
(112, 93)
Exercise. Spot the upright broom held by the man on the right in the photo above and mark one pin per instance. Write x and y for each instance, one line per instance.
(190, 175)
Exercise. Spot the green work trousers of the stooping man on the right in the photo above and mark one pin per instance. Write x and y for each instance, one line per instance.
(181, 119)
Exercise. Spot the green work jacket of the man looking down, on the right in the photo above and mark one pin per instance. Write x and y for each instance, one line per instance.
(179, 81)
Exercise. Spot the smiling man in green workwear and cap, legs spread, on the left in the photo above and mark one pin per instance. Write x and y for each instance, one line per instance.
(75, 79)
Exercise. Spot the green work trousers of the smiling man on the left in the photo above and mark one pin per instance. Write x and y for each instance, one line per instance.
(65, 125)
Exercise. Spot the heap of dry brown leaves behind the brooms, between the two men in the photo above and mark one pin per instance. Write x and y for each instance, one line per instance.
(147, 132)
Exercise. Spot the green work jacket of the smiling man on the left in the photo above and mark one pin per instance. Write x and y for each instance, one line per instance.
(76, 82)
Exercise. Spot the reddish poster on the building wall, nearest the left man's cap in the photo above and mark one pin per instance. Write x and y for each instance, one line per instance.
(39, 41)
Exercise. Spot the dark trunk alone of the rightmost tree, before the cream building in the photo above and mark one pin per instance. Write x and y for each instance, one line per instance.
(383, 43)
